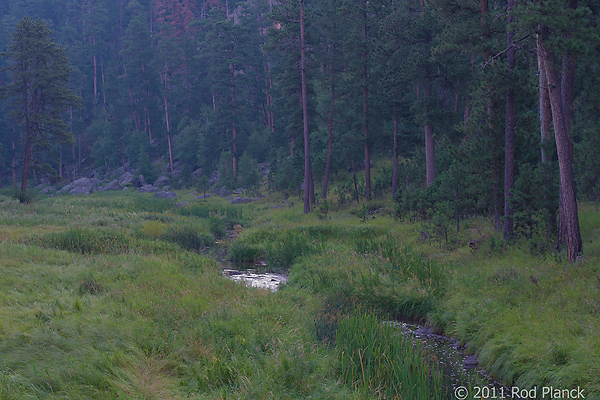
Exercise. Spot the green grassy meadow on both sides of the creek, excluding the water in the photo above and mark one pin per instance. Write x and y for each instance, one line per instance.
(121, 296)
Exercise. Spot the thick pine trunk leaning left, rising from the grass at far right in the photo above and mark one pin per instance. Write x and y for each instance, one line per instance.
(568, 209)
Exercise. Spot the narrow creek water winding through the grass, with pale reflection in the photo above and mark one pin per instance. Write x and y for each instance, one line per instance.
(457, 368)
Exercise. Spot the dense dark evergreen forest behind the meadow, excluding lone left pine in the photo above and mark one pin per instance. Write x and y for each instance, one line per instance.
(466, 107)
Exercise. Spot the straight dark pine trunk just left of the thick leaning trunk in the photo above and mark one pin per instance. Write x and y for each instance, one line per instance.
(509, 133)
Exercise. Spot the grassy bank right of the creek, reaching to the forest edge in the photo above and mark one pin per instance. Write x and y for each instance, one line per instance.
(532, 319)
